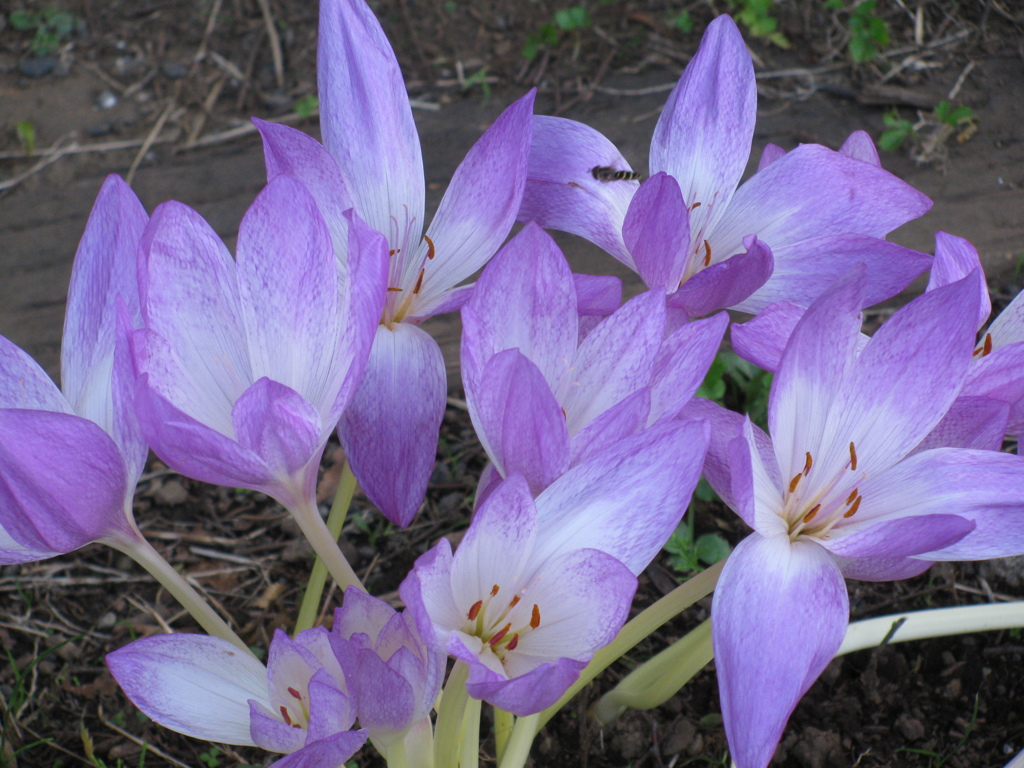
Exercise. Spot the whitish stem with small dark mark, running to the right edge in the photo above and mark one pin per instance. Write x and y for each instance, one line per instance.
(900, 628)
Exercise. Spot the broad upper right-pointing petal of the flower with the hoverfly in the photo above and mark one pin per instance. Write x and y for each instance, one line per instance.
(814, 192)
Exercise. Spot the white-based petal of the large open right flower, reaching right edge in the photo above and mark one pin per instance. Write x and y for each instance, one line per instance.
(984, 487)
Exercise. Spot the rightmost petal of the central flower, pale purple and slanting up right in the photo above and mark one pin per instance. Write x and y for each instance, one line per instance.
(682, 365)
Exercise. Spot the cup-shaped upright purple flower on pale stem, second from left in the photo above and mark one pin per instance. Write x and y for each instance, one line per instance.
(245, 365)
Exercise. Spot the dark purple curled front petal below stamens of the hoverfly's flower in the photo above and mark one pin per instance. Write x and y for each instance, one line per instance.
(729, 283)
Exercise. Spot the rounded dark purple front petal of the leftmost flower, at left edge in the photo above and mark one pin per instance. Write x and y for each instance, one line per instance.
(62, 482)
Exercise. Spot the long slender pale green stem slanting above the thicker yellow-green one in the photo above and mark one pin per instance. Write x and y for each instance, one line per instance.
(641, 627)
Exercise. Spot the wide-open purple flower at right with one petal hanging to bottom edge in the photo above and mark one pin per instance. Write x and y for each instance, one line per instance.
(836, 492)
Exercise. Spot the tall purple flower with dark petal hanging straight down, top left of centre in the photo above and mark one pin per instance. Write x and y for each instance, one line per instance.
(373, 163)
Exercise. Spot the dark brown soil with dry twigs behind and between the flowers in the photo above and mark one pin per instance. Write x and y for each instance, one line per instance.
(159, 91)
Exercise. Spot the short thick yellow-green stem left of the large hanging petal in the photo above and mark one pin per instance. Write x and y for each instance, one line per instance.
(660, 678)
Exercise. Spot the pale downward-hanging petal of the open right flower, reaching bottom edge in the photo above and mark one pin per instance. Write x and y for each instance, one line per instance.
(780, 615)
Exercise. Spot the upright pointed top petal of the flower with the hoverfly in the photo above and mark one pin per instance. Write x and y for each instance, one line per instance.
(704, 136)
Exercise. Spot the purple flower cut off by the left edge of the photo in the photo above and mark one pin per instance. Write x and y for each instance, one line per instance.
(70, 461)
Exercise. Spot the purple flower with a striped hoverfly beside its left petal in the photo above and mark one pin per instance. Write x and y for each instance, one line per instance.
(815, 211)
